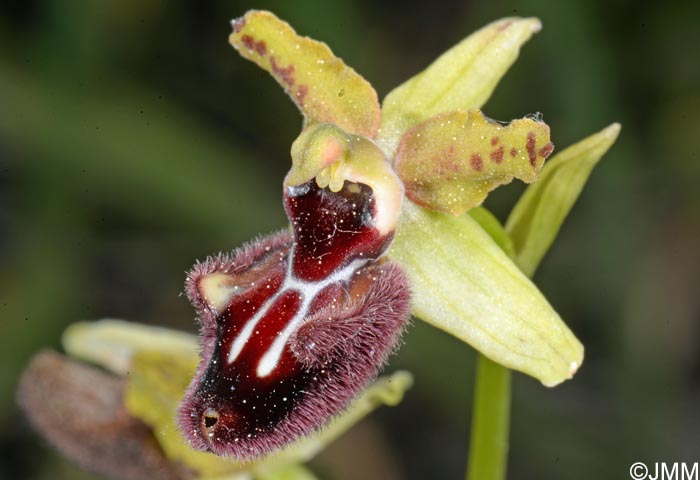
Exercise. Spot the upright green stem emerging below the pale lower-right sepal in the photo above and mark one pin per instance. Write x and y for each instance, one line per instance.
(488, 446)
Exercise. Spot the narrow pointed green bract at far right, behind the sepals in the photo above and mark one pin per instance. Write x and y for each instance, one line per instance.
(536, 218)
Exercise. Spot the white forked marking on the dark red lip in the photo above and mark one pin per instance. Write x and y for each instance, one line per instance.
(307, 292)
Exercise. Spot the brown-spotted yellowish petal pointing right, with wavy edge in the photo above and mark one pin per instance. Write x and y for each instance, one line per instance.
(451, 162)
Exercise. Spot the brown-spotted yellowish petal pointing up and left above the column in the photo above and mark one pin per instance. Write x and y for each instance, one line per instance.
(323, 87)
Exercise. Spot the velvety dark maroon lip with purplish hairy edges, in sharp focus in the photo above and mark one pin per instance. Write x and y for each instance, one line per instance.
(293, 325)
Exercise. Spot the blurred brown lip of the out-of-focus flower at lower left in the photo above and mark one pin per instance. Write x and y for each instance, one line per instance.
(80, 410)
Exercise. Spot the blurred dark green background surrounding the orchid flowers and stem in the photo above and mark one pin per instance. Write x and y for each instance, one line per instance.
(134, 140)
